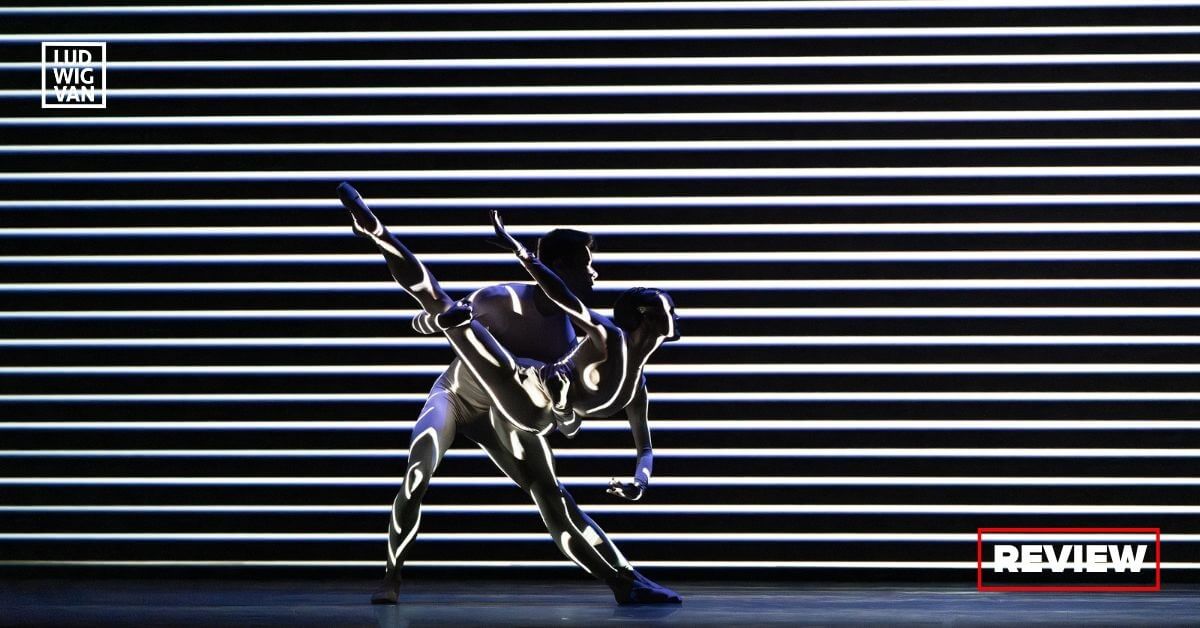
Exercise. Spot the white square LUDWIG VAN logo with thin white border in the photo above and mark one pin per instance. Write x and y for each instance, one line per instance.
(75, 75)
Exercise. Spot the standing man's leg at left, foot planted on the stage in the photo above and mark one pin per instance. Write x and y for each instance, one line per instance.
(433, 435)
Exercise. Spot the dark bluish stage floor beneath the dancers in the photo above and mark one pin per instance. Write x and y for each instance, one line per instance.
(542, 603)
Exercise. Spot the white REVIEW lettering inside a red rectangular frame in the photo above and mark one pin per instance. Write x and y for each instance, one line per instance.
(1069, 559)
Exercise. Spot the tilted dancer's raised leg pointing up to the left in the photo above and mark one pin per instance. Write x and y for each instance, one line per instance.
(491, 364)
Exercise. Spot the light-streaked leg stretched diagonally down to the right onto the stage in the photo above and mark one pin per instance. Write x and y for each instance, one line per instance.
(526, 459)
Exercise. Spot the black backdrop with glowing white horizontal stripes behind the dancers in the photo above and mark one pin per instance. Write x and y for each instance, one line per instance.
(937, 265)
